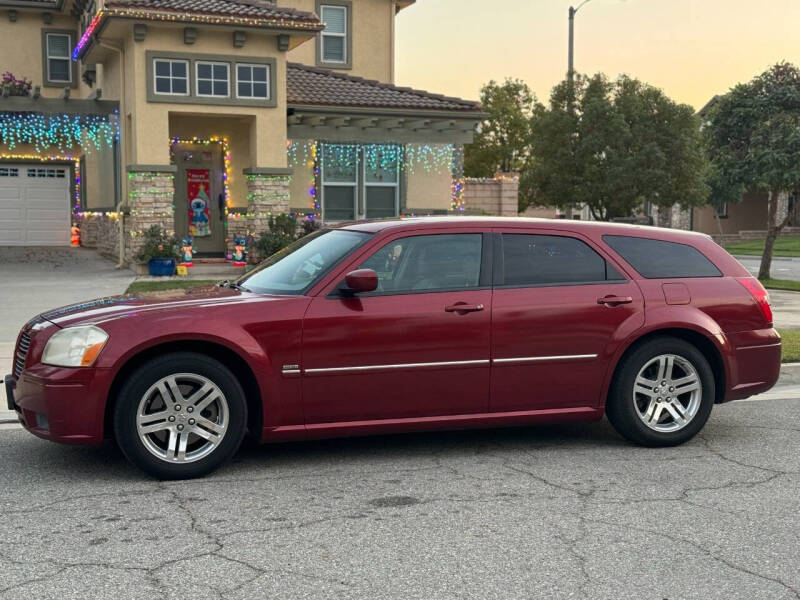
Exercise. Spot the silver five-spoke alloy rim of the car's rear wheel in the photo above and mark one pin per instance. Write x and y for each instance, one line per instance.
(667, 393)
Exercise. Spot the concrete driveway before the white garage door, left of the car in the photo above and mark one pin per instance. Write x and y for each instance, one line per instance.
(34, 279)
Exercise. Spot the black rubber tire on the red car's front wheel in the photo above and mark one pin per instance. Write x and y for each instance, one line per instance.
(142, 380)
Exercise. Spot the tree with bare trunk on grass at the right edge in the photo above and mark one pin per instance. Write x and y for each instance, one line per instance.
(754, 144)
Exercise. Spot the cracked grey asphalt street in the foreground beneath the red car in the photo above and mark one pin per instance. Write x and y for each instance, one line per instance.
(542, 512)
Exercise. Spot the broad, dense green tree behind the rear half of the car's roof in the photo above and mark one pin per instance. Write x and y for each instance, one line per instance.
(612, 146)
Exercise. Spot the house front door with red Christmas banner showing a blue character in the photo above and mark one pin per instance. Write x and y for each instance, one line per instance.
(199, 196)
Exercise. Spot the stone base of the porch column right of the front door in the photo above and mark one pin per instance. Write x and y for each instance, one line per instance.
(267, 194)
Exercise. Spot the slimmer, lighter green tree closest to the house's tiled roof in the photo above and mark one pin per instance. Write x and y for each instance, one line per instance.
(502, 143)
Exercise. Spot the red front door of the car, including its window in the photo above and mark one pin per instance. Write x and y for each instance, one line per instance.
(416, 347)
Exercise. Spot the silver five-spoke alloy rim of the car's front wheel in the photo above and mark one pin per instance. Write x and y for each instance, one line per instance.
(182, 418)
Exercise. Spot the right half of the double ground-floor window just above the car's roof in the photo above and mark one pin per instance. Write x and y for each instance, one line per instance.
(381, 178)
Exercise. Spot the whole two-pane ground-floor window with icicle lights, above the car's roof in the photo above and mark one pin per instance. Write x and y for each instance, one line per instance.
(351, 172)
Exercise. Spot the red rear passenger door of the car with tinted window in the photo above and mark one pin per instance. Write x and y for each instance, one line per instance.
(560, 308)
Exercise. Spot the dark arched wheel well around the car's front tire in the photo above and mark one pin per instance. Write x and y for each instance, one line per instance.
(226, 356)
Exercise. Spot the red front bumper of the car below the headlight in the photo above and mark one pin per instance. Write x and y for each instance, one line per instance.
(61, 404)
